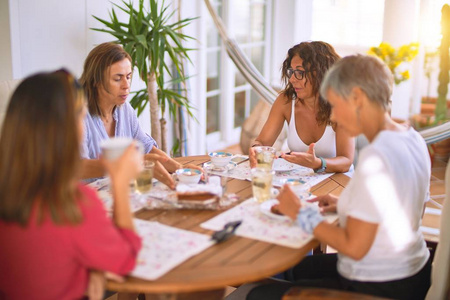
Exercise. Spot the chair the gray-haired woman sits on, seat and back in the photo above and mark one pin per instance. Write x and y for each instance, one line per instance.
(440, 278)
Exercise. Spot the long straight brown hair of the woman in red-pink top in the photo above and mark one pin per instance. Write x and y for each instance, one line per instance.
(40, 150)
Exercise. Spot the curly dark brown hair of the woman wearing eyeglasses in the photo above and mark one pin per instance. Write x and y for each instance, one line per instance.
(317, 58)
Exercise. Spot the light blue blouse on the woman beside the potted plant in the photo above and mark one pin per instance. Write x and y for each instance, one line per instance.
(127, 125)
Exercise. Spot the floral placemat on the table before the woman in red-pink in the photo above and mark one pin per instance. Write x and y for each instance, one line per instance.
(165, 247)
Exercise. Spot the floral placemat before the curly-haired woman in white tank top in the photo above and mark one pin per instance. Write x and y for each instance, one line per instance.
(242, 172)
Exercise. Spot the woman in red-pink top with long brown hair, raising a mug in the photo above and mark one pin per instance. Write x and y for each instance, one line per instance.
(53, 230)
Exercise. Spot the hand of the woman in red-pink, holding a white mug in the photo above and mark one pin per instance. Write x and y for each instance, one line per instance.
(126, 167)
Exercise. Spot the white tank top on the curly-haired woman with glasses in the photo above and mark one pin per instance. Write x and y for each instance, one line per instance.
(325, 146)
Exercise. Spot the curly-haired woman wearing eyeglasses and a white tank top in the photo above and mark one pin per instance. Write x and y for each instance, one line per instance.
(314, 141)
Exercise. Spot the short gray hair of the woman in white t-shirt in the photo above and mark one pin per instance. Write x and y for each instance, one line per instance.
(368, 73)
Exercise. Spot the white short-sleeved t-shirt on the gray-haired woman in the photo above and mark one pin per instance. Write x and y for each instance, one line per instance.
(389, 187)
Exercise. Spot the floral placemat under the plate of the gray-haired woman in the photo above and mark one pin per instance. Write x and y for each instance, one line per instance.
(259, 226)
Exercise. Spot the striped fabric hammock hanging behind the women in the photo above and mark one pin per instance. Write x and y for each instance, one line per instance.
(263, 88)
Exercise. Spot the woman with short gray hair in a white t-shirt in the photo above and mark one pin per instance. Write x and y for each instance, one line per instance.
(381, 250)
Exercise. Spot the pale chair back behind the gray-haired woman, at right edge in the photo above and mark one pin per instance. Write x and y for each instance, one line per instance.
(440, 277)
